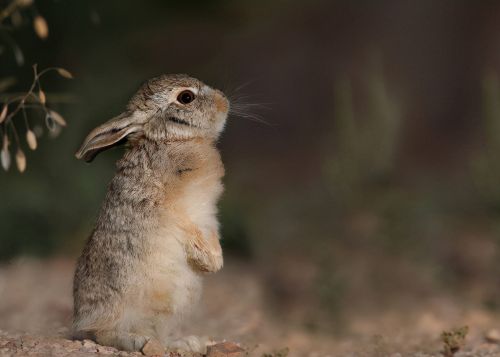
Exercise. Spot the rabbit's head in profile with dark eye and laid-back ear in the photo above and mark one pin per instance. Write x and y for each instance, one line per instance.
(169, 107)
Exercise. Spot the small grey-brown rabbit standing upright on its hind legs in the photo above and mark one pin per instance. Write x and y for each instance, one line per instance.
(157, 231)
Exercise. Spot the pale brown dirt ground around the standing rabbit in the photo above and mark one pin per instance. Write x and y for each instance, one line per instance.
(35, 310)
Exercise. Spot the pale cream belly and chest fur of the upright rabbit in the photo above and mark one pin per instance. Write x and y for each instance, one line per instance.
(172, 287)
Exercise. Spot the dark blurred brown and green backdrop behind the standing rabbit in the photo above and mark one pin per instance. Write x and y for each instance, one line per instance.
(366, 185)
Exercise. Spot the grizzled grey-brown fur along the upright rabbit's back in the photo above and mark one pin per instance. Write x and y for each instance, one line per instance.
(115, 250)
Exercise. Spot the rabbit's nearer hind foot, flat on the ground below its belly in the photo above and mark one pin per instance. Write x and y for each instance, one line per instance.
(129, 342)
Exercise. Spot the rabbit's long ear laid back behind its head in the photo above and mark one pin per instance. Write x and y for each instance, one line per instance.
(108, 135)
